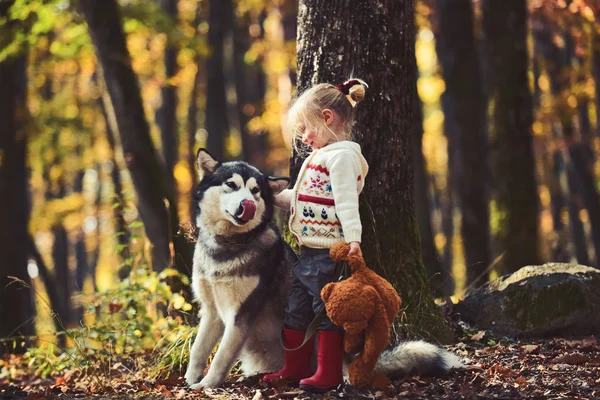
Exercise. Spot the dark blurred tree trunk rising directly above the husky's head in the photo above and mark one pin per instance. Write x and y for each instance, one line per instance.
(219, 20)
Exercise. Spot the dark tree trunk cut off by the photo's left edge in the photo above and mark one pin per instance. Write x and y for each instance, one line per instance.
(16, 305)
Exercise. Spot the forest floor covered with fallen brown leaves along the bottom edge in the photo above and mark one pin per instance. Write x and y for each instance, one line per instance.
(554, 368)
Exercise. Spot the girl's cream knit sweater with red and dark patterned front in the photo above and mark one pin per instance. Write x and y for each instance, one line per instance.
(324, 207)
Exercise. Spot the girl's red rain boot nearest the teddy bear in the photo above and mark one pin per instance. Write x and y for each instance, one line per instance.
(329, 369)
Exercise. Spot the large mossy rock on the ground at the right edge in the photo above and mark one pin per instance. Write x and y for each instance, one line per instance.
(537, 301)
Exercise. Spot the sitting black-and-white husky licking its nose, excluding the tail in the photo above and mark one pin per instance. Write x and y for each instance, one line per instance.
(241, 273)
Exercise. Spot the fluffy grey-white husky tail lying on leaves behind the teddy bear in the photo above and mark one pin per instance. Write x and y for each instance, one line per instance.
(416, 358)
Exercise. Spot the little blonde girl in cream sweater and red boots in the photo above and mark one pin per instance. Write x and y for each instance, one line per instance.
(324, 210)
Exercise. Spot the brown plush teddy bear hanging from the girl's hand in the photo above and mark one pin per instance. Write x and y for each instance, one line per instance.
(365, 305)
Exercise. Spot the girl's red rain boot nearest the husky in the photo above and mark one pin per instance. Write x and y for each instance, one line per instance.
(297, 362)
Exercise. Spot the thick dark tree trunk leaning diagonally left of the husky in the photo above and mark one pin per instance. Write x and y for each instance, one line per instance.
(147, 174)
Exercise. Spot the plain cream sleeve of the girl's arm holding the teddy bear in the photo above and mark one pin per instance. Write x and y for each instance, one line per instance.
(345, 171)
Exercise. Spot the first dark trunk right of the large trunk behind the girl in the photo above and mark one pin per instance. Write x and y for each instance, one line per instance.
(464, 104)
